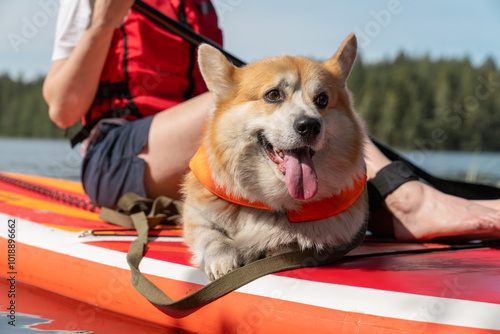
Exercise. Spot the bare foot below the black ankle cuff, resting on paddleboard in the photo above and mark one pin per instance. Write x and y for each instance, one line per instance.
(421, 212)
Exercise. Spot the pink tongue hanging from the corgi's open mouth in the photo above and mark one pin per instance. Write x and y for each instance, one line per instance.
(300, 177)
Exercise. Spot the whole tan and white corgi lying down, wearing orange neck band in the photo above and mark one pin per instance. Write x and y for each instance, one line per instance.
(281, 163)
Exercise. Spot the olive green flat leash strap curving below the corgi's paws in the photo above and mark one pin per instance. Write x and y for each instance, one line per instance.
(230, 281)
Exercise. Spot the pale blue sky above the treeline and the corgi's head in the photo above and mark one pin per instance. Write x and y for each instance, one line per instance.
(255, 29)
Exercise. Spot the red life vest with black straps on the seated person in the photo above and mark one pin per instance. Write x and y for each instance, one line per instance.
(149, 69)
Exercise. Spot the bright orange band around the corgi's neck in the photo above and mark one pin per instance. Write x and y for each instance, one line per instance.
(314, 210)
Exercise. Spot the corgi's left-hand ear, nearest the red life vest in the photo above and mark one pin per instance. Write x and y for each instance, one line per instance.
(217, 71)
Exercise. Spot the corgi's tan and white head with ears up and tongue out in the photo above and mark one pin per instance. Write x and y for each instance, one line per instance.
(283, 129)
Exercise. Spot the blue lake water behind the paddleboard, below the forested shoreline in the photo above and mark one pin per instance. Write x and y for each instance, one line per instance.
(55, 158)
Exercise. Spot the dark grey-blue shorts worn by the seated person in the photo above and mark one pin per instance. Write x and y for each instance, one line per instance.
(111, 168)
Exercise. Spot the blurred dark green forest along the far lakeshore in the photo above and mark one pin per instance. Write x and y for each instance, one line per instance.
(408, 103)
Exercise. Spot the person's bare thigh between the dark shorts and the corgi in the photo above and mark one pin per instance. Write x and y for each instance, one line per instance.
(173, 139)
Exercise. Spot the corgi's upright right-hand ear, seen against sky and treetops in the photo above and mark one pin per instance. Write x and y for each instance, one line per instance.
(342, 61)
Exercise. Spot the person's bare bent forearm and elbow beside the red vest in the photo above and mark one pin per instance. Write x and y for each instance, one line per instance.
(71, 84)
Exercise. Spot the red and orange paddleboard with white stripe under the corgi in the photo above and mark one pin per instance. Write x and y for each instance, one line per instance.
(58, 244)
